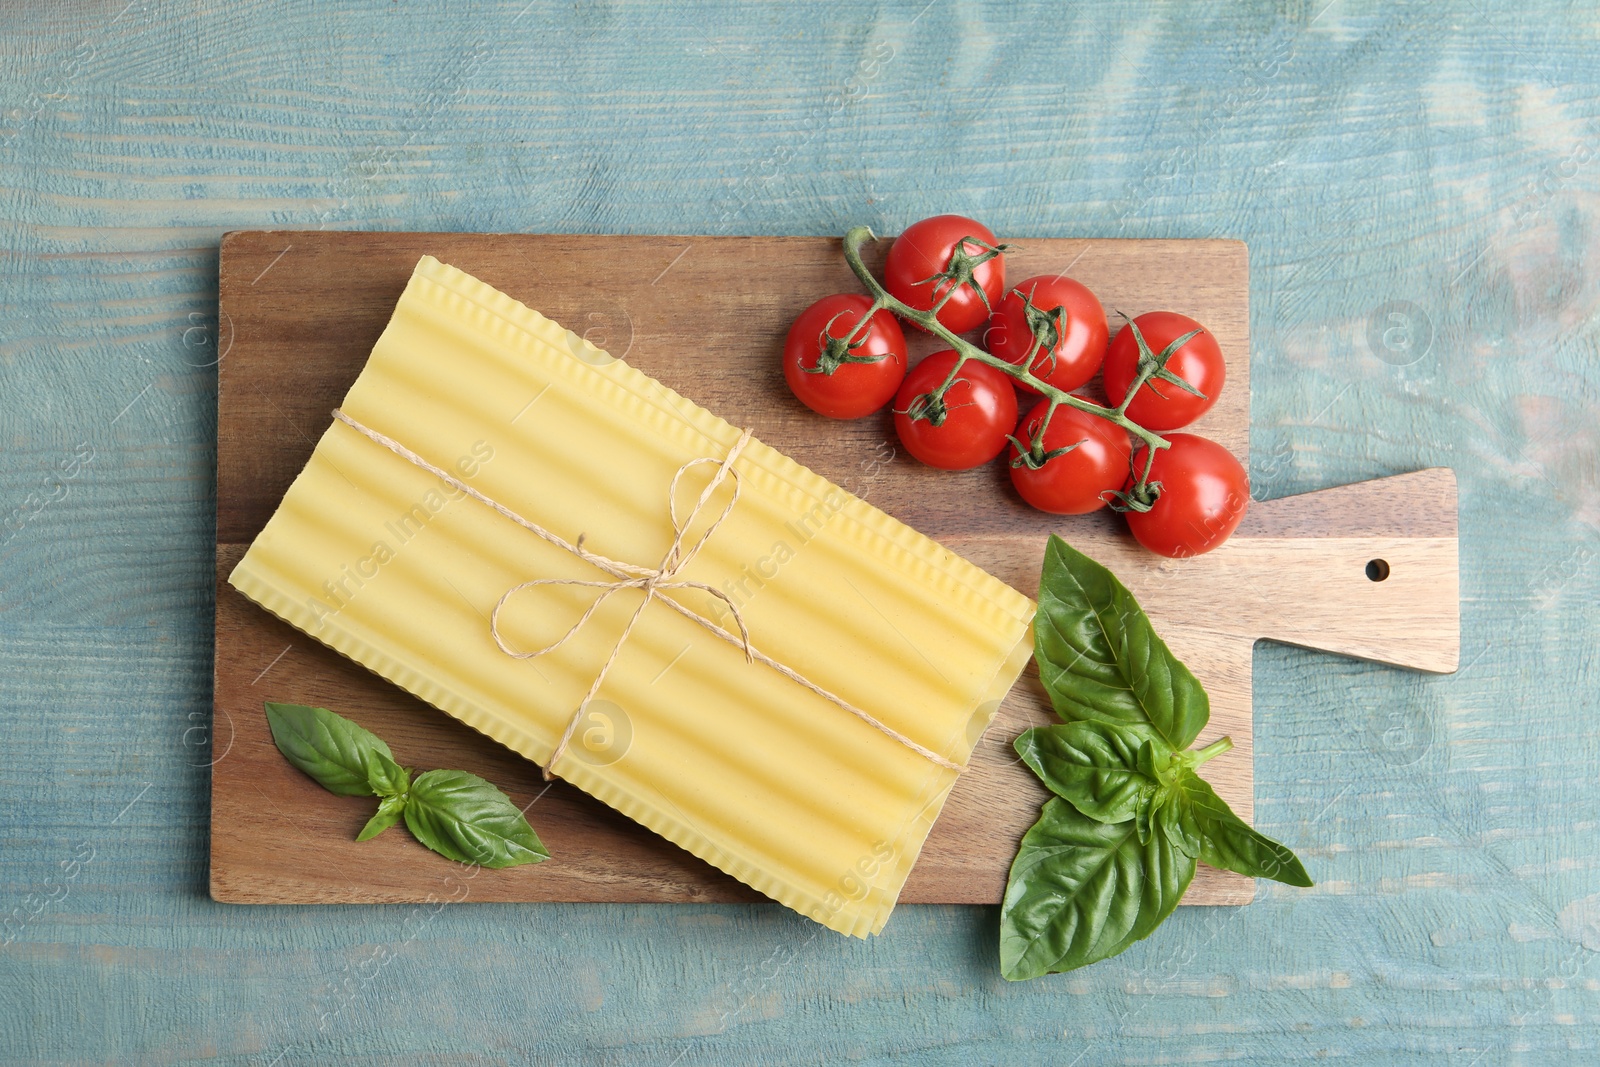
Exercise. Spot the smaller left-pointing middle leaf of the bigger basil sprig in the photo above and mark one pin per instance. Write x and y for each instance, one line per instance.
(1092, 765)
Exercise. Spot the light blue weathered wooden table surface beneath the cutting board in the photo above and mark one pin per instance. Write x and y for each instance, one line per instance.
(1422, 196)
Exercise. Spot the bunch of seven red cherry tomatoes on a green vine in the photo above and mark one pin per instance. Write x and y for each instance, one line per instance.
(1041, 342)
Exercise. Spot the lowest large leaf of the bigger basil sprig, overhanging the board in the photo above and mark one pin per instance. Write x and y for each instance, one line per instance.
(1082, 892)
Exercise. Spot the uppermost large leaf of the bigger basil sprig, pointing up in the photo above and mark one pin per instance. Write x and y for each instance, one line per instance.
(1102, 660)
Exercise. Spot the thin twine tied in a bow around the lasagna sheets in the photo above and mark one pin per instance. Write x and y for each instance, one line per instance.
(654, 581)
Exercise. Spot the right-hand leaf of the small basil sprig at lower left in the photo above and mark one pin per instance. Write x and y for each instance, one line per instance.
(463, 818)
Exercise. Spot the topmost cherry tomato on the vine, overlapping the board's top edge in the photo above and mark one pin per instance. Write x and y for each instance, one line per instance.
(921, 274)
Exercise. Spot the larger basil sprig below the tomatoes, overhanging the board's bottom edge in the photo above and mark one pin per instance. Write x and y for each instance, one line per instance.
(1116, 849)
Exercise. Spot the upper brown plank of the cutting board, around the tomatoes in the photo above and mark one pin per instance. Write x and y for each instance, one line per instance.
(300, 311)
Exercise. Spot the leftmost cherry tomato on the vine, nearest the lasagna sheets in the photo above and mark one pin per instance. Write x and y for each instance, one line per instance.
(838, 380)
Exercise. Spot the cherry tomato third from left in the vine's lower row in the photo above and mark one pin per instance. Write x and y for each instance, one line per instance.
(1071, 482)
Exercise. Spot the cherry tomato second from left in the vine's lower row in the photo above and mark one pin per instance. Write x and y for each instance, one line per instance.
(969, 428)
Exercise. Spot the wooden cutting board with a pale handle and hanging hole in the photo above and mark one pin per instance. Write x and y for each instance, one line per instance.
(300, 313)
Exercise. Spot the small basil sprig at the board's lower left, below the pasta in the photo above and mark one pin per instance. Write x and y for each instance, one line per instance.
(455, 813)
